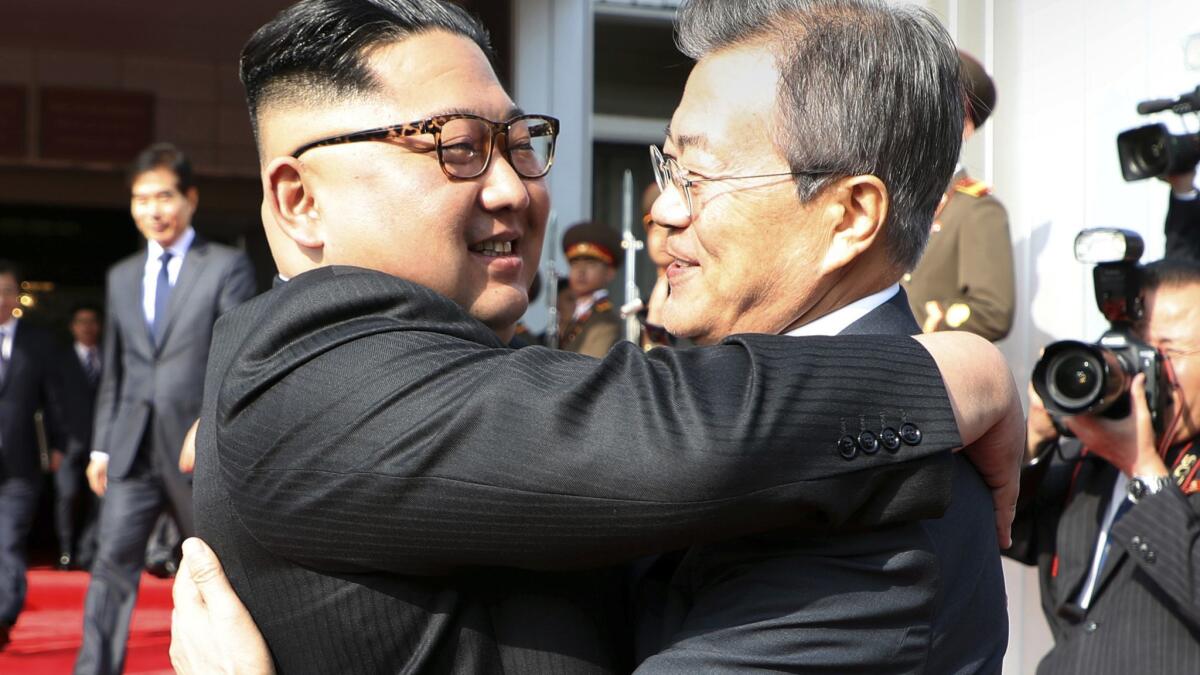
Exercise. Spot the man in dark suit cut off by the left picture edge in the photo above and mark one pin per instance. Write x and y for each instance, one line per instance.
(28, 384)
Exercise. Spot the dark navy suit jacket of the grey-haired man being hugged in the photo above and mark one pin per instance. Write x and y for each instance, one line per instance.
(917, 598)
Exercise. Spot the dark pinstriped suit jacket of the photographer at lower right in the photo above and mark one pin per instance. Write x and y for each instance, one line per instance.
(1145, 612)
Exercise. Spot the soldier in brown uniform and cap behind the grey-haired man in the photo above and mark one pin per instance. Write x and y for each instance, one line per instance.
(965, 279)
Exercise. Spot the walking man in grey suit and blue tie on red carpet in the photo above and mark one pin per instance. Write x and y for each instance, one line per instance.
(161, 303)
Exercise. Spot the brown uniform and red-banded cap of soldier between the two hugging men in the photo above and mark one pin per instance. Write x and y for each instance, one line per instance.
(595, 331)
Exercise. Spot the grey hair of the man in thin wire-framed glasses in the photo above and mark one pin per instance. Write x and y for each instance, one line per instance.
(866, 88)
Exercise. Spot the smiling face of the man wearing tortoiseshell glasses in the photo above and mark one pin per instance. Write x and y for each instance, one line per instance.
(389, 207)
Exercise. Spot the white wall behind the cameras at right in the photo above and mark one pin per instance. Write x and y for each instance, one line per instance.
(1070, 74)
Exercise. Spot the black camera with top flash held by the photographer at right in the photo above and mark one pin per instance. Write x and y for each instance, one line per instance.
(1077, 378)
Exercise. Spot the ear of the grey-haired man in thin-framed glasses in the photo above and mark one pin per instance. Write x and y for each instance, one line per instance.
(856, 214)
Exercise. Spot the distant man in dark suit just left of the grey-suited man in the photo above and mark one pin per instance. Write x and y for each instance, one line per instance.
(75, 505)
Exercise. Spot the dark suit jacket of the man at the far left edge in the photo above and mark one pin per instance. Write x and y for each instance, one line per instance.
(31, 384)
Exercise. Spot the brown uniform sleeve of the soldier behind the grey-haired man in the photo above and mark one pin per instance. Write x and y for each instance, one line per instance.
(986, 272)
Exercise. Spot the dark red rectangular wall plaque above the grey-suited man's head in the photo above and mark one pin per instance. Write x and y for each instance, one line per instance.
(95, 126)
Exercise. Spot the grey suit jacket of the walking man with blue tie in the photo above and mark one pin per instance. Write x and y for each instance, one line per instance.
(158, 390)
